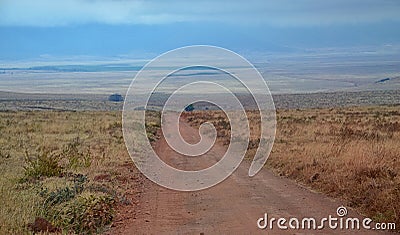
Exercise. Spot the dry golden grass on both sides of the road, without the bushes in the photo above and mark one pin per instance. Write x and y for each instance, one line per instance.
(348, 153)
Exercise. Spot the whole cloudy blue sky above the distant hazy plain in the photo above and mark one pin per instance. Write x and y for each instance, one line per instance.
(31, 29)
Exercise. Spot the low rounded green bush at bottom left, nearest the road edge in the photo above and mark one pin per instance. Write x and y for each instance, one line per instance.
(74, 209)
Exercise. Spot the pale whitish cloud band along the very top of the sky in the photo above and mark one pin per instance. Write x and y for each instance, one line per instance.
(278, 13)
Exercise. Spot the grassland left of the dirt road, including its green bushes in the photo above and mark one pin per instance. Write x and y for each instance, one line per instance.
(52, 166)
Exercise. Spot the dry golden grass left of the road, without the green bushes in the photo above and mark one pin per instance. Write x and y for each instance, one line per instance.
(27, 134)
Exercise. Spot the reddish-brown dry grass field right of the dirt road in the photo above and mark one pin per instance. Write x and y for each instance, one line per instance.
(347, 153)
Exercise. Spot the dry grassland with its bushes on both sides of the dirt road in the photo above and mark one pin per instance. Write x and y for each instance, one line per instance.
(70, 172)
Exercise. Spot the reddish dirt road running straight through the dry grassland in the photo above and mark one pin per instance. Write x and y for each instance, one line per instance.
(231, 207)
